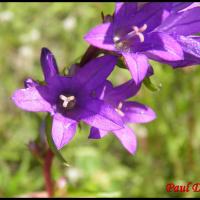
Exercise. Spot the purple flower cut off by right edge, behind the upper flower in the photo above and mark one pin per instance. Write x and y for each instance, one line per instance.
(183, 26)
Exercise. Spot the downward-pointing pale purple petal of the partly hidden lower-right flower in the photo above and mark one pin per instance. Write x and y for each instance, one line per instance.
(127, 139)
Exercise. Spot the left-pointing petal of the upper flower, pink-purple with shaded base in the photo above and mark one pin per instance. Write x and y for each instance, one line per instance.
(101, 36)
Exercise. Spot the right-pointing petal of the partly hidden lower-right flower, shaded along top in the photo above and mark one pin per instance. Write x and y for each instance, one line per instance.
(137, 113)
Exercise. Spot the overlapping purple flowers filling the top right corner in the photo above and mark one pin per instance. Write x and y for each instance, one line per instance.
(158, 31)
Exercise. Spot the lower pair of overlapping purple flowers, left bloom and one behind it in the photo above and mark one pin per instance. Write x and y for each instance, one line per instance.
(85, 96)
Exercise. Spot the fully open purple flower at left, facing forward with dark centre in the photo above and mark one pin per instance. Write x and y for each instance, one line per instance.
(70, 99)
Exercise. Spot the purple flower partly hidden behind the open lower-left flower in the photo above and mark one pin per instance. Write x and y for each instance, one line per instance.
(130, 112)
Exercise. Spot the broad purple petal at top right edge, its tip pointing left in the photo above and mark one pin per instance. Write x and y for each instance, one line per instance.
(182, 23)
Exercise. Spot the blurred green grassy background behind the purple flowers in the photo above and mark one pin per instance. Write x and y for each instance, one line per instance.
(168, 148)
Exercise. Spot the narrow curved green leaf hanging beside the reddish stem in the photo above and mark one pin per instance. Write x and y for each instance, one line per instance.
(50, 140)
